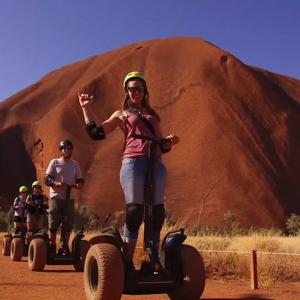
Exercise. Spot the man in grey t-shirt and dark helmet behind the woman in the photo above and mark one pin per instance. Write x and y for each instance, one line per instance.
(62, 175)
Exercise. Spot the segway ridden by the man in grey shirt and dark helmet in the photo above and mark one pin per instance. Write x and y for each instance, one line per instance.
(41, 254)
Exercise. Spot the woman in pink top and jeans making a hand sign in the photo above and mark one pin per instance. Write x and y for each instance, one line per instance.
(136, 117)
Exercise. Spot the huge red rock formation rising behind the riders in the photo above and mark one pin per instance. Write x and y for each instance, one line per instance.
(238, 125)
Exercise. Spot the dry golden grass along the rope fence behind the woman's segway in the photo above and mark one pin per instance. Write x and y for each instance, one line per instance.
(271, 267)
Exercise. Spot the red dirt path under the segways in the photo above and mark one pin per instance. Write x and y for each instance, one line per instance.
(62, 283)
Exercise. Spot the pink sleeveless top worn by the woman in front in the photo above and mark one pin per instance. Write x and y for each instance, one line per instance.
(137, 147)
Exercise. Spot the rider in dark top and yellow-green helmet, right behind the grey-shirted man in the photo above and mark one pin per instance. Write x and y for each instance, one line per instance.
(36, 206)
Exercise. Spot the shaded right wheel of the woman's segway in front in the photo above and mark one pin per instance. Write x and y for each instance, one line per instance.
(193, 283)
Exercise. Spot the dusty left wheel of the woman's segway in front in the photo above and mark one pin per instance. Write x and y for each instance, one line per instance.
(103, 273)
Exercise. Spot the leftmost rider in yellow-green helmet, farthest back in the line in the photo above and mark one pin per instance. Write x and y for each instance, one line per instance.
(19, 207)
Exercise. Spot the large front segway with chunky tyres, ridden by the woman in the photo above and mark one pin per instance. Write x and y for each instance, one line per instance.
(181, 274)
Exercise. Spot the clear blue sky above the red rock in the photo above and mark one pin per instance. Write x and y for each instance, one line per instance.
(38, 36)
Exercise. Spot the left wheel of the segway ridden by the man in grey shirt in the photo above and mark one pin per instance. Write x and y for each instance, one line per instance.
(37, 254)
